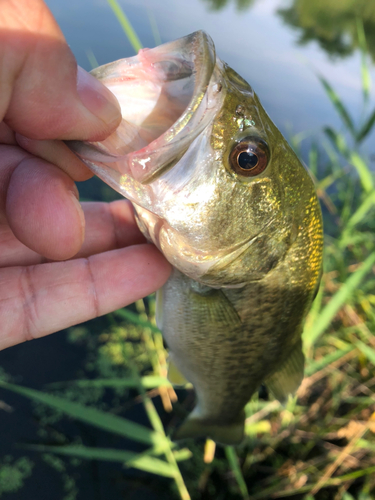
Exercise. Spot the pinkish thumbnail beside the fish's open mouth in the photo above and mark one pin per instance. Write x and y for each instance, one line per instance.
(97, 98)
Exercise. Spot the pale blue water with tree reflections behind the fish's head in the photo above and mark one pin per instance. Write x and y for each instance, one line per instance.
(257, 40)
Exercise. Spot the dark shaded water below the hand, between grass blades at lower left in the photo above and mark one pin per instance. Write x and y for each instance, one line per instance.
(79, 353)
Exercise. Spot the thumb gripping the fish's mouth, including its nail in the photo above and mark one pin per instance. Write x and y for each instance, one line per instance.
(42, 93)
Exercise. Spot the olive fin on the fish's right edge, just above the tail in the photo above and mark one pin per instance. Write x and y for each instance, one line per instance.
(288, 377)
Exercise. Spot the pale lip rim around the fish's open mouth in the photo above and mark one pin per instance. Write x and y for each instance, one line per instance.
(195, 51)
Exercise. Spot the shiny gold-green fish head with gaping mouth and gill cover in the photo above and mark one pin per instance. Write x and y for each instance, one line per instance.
(214, 184)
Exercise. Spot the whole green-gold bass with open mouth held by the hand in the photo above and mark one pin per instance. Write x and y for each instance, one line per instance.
(218, 190)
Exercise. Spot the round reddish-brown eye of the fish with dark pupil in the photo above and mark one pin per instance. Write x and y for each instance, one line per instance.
(249, 157)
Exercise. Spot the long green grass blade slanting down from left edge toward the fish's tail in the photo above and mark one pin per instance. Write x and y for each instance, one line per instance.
(92, 416)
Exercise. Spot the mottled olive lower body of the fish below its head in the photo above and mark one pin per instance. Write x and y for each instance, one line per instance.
(226, 343)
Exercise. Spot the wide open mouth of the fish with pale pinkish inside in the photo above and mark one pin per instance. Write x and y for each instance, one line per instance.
(167, 97)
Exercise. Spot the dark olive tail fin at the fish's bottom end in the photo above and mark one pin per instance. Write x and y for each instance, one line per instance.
(227, 434)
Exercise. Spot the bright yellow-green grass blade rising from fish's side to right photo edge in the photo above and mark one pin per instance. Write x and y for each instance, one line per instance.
(337, 301)
